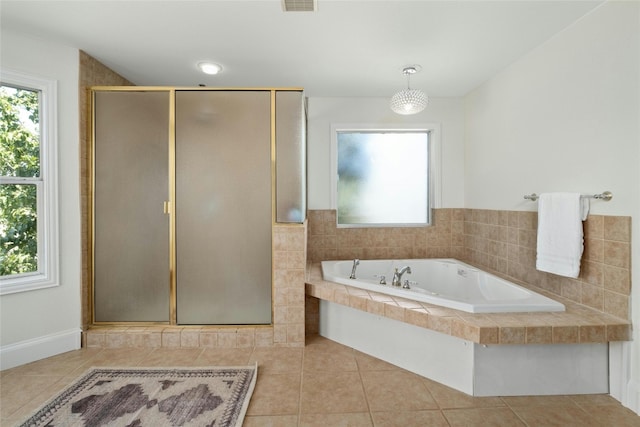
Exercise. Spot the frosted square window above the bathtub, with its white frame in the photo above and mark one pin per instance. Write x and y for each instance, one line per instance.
(383, 176)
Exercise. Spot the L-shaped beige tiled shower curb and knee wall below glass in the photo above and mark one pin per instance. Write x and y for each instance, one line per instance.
(287, 330)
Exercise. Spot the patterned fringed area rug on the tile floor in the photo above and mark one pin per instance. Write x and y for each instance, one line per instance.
(152, 397)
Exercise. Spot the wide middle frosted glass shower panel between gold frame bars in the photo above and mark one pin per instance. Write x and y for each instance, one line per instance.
(223, 207)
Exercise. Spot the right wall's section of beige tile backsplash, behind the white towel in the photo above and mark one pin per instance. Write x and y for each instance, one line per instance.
(505, 242)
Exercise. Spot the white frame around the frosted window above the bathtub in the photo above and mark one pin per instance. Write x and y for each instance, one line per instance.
(435, 161)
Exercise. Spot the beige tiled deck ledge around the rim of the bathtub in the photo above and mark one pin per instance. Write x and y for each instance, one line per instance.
(578, 324)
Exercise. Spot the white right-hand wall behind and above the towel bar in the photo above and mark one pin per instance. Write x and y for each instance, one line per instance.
(566, 117)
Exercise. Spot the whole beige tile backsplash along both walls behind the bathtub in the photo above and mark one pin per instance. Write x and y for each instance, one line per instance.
(500, 242)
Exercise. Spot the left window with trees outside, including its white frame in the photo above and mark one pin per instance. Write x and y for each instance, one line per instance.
(28, 189)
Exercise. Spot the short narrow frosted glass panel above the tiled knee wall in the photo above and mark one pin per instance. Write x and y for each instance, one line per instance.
(290, 157)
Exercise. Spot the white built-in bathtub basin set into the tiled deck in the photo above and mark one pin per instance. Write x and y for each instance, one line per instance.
(444, 282)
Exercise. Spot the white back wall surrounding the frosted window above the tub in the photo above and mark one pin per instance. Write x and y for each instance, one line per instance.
(323, 112)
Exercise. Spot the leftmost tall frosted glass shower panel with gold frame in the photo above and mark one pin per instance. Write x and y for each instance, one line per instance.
(131, 267)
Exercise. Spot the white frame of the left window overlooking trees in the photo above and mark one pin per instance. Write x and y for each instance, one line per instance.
(47, 187)
